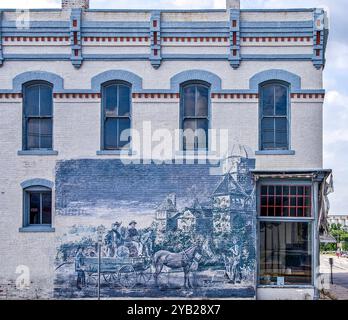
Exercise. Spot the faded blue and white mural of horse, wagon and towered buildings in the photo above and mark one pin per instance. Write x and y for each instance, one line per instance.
(162, 231)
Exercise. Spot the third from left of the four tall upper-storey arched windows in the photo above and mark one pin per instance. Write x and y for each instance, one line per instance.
(195, 116)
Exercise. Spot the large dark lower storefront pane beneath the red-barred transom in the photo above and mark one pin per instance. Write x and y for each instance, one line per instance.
(285, 253)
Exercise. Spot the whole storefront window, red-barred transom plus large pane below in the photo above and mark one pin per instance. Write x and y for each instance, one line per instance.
(285, 234)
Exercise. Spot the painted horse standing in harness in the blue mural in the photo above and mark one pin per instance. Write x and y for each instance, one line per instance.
(188, 260)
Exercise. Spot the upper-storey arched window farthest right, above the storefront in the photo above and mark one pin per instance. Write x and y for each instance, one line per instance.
(274, 116)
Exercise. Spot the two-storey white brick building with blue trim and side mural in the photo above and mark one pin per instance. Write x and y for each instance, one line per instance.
(96, 110)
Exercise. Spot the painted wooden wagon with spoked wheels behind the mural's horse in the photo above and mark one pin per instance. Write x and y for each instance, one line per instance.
(125, 271)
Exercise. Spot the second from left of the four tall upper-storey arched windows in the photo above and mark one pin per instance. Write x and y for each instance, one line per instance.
(116, 107)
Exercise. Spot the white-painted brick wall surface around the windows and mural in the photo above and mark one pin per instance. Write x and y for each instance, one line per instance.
(77, 131)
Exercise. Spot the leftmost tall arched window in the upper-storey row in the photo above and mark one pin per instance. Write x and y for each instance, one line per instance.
(37, 116)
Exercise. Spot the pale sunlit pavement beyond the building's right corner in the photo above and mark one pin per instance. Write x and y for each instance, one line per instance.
(339, 289)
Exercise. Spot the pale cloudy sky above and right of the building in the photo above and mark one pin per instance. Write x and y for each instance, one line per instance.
(335, 73)
